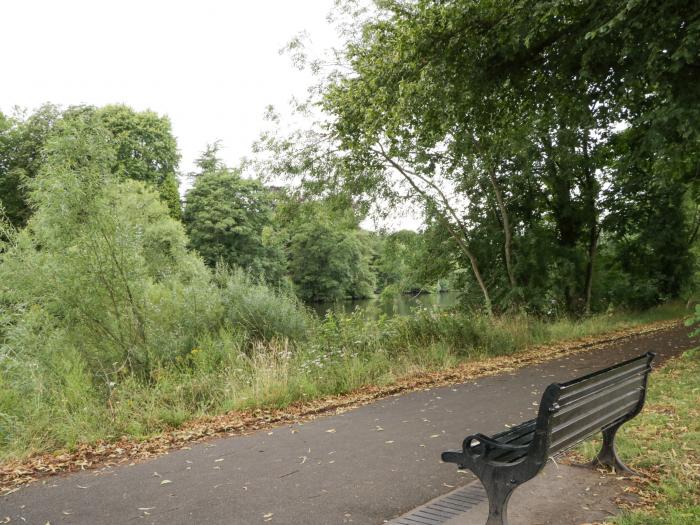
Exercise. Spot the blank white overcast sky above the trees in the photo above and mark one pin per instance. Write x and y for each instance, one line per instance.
(211, 66)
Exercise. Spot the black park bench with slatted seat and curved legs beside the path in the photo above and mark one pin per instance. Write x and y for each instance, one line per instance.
(568, 414)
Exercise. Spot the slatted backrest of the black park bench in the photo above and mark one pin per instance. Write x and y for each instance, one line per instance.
(572, 411)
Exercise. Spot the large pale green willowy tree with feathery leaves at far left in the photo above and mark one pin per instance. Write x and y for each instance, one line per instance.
(101, 272)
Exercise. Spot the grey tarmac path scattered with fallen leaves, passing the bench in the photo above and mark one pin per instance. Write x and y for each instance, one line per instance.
(364, 467)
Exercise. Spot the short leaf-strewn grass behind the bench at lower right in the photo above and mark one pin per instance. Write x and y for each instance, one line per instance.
(664, 443)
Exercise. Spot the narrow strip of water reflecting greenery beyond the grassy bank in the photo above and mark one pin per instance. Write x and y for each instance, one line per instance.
(401, 305)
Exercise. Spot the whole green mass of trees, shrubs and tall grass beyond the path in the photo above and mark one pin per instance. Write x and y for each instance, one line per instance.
(557, 178)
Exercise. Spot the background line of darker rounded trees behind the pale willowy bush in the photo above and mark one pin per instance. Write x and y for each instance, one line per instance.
(312, 247)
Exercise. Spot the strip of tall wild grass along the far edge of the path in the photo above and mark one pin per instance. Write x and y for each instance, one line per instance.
(234, 371)
